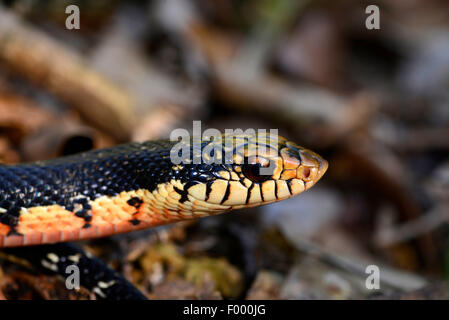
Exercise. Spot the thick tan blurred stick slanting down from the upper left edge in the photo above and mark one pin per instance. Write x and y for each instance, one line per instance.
(48, 63)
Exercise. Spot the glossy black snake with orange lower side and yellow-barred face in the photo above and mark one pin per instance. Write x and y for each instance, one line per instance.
(142, 185)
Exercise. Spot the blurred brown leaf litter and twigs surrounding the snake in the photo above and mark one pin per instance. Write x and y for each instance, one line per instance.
(374, 103)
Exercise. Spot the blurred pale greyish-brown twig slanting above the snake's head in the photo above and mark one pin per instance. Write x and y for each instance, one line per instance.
(241, 84)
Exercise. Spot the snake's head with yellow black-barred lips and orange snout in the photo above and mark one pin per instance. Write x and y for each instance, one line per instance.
(252, 170)
